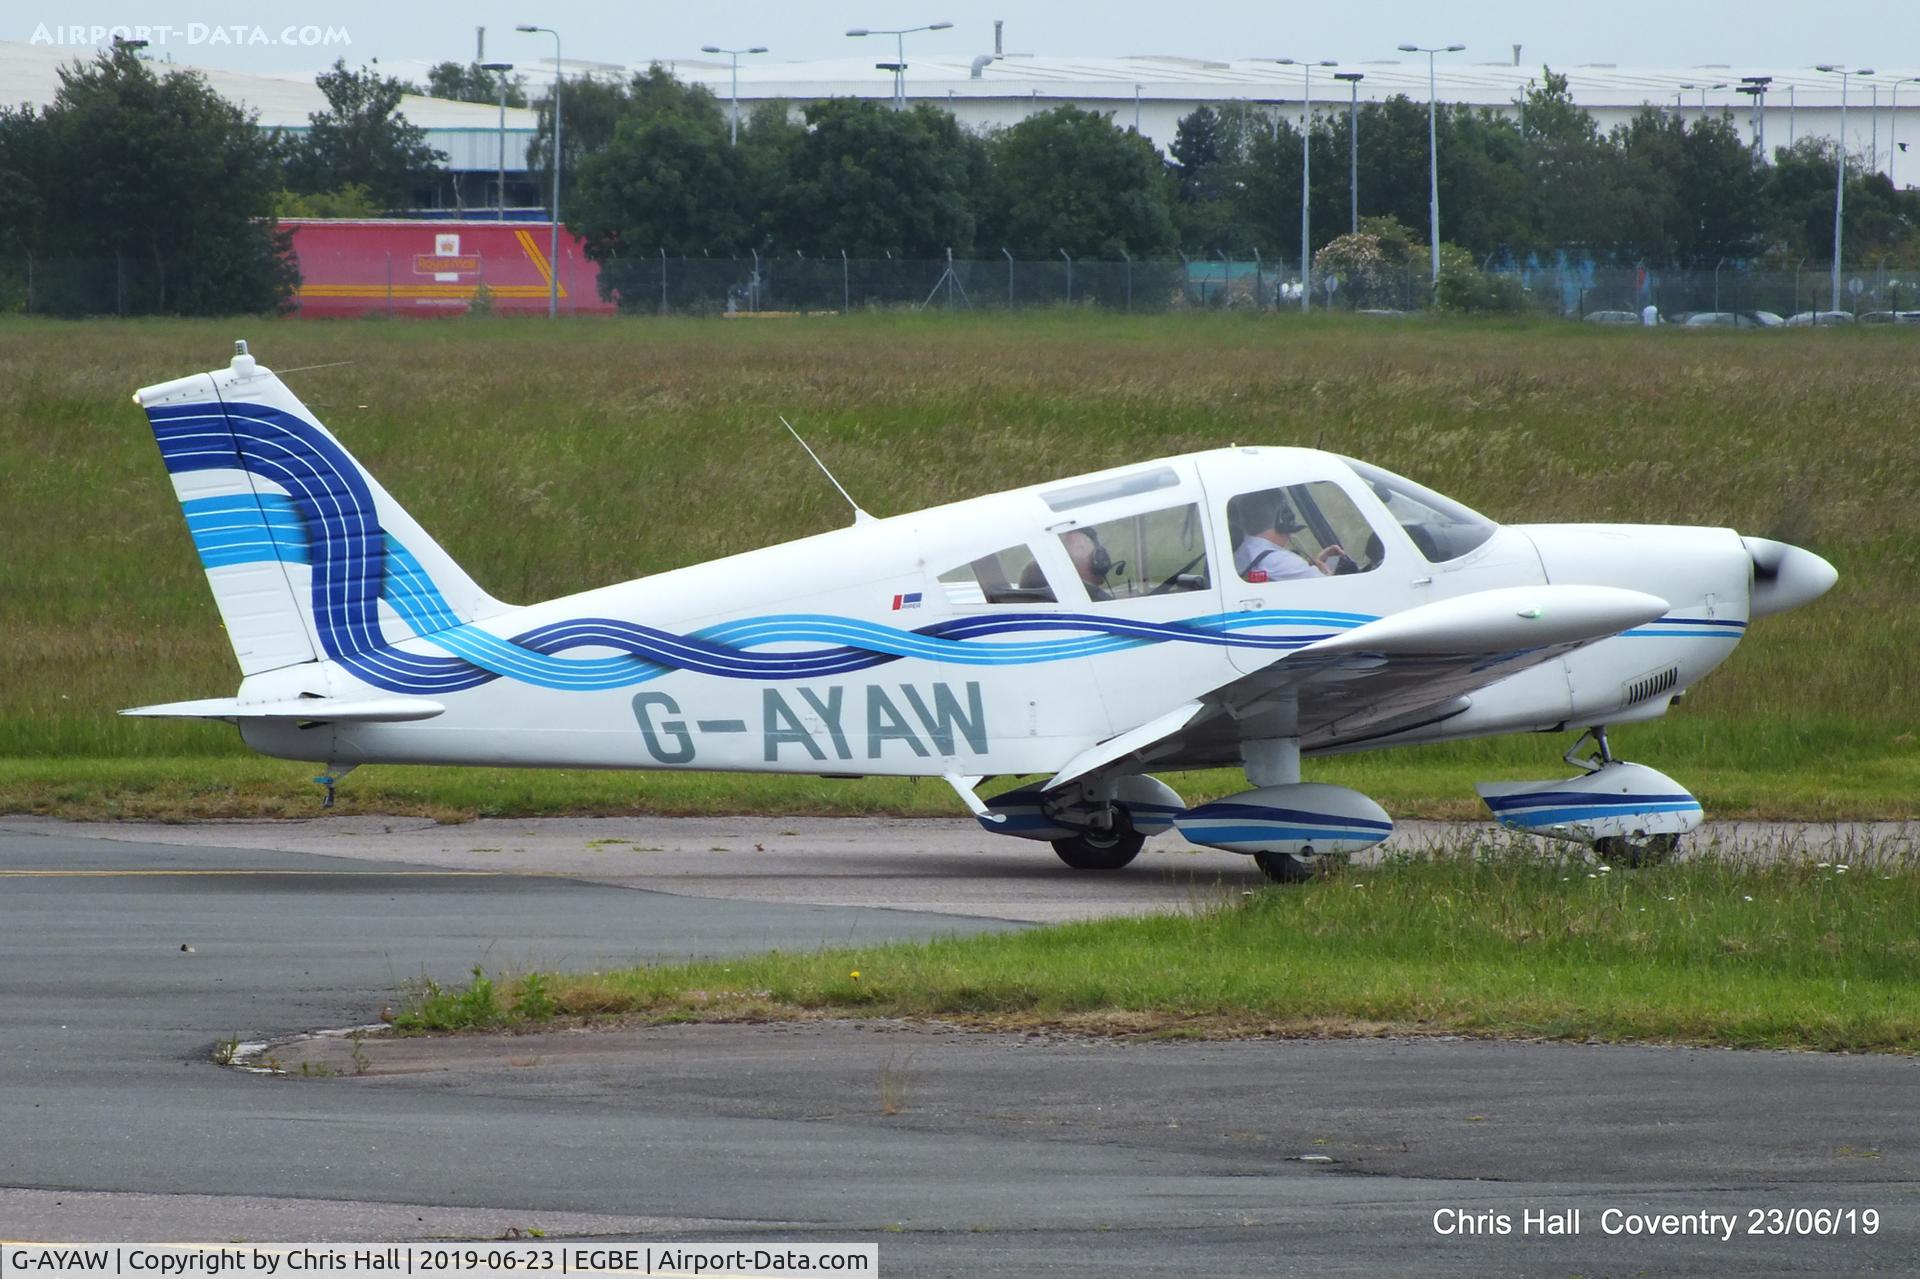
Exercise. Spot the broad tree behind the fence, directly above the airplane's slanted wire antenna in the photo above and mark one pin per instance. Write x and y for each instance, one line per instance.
(869, 181)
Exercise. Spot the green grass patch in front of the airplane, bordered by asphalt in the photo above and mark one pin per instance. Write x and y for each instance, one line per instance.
(1491, 942)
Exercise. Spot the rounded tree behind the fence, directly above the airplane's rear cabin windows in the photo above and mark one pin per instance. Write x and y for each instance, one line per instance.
(1068, 180)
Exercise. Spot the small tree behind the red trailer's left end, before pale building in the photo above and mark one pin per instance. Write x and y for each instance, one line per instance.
(362, 139)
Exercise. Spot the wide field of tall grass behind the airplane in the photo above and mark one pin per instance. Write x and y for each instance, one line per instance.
(552, 458)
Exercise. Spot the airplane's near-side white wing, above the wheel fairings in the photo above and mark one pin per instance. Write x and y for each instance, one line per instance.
(1399, 673)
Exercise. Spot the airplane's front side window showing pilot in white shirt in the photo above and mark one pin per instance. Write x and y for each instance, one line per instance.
(1301, 531)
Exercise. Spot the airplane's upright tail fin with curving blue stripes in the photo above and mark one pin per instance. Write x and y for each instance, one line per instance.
(306, 554)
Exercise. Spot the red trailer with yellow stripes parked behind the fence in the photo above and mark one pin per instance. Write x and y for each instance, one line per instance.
(437, 268)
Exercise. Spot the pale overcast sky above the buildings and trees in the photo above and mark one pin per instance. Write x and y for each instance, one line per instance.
(306, 36)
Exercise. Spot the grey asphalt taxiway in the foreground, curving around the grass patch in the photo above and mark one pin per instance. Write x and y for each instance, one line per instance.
(128, 955)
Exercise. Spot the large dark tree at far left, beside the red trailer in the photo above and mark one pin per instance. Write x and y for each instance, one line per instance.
(158, 176)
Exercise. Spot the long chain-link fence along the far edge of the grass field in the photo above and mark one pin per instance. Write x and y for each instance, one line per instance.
(794, 285)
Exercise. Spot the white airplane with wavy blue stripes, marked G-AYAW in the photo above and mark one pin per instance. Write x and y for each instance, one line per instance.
(1243, 606)
